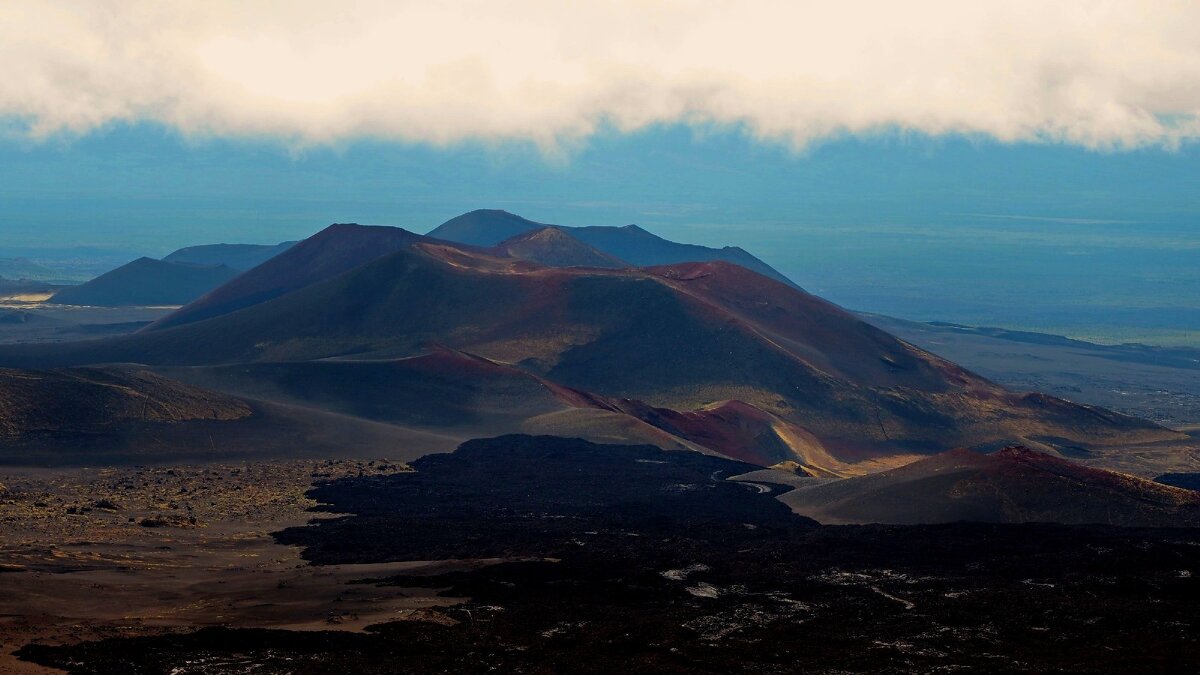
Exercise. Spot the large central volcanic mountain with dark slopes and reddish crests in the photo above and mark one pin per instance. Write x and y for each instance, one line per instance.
(712, 354)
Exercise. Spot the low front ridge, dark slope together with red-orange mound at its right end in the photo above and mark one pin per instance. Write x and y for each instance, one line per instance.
(459, 393)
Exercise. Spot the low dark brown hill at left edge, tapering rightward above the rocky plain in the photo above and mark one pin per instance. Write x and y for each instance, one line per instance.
(128, 415)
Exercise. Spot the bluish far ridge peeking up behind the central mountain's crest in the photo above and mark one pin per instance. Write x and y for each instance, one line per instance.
(632, 244)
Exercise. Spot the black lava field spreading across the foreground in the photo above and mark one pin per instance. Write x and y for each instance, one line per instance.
(617, 559)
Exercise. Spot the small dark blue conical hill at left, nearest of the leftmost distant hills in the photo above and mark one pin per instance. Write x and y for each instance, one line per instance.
(147, 282)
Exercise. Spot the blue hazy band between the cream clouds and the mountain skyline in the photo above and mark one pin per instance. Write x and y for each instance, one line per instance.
(1039, 236)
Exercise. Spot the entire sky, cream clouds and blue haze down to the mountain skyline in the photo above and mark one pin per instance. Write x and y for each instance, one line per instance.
(1022, 163)
